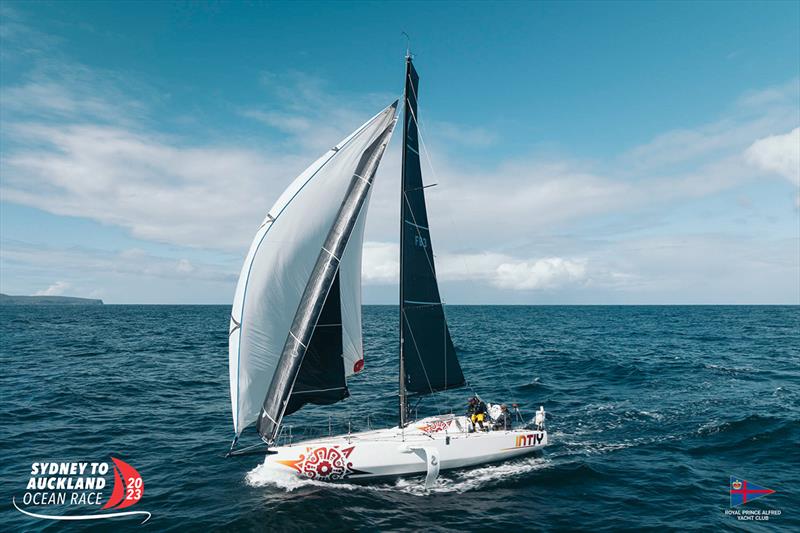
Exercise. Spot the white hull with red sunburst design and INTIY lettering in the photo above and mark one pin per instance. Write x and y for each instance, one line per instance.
(423, 447)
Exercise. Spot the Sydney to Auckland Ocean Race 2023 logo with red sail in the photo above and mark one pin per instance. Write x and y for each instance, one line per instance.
(80, 491)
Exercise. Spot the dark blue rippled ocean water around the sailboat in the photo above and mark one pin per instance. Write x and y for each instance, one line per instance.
(650, 410)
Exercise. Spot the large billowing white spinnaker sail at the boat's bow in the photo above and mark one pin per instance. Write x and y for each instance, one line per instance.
(278, 266)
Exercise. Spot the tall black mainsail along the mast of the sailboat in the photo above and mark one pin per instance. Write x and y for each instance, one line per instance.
(428, 361)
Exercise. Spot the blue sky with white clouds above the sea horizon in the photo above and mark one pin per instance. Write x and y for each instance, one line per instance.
(585, 152)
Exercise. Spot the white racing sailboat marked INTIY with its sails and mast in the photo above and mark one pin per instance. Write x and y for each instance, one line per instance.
(295, 328)
